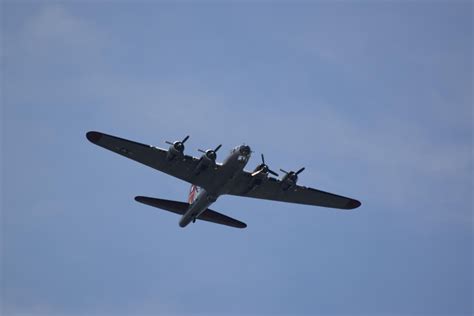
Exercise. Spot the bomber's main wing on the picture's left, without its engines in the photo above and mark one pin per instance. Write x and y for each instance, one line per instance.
(153, 157)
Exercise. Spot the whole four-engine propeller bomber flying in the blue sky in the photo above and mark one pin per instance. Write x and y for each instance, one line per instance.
(210, 179)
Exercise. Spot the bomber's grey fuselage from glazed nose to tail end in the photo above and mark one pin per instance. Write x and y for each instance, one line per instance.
(232, 166)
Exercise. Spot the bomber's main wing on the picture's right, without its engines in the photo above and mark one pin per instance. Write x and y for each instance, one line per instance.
(271, 189)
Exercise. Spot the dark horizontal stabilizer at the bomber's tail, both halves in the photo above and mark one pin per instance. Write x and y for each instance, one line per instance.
(181, 208)
